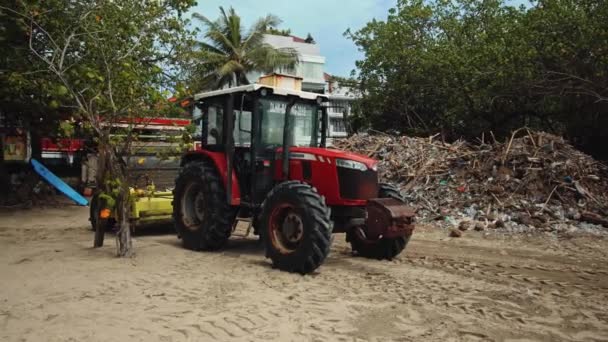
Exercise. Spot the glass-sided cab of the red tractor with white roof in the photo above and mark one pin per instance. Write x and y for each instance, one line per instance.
(265, 124)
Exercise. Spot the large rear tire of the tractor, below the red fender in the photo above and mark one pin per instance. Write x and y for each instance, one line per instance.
(203, 219)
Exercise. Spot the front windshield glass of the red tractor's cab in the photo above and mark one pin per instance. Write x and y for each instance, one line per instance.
(303, 123)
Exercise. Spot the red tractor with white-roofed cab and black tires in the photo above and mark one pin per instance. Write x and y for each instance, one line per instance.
(263, 161)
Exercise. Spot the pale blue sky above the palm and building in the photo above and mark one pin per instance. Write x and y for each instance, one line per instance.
(325, 20)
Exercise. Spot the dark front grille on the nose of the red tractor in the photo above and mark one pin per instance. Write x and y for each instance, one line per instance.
(355, 184)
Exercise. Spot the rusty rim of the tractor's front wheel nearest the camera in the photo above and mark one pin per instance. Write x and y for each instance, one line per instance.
(286, 229)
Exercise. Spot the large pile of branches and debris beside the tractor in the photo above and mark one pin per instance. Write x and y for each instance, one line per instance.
(534, 180)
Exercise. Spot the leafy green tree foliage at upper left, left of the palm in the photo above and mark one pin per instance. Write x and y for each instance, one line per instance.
(93, 59)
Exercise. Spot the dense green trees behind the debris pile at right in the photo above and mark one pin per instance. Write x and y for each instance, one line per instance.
(464, 67)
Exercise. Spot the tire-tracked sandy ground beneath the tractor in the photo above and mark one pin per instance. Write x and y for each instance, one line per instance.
(481, 287)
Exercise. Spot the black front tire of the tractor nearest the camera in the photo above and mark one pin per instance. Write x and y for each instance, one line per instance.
(300, 202)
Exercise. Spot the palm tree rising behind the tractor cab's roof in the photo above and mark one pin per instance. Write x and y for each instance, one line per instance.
(228, 53)
